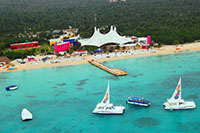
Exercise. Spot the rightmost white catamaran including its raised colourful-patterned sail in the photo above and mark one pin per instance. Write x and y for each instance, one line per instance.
(176, 103)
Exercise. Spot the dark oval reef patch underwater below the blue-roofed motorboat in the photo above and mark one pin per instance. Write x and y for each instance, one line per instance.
(146, 122)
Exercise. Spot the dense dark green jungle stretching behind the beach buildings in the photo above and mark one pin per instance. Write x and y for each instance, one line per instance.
(166, 21)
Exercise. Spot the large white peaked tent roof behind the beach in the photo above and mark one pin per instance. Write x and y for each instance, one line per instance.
(98, 39)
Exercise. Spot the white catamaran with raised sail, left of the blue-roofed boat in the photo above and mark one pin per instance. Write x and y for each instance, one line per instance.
(107, 108)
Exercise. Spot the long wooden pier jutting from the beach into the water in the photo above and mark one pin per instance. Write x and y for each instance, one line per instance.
(114, 71)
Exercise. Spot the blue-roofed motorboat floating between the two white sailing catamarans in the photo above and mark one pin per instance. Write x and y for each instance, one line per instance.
(138, 101)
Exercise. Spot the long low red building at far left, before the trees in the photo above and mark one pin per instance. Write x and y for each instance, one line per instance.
(24, 45)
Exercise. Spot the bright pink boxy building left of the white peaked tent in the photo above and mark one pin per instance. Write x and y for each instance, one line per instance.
(61, 47)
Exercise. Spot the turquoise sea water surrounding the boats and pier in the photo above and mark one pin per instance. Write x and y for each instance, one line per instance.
(62, 98)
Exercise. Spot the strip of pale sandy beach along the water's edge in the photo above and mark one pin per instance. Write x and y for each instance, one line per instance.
(169, 49)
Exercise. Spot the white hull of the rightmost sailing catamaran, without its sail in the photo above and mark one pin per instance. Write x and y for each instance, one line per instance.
(183, 106)
